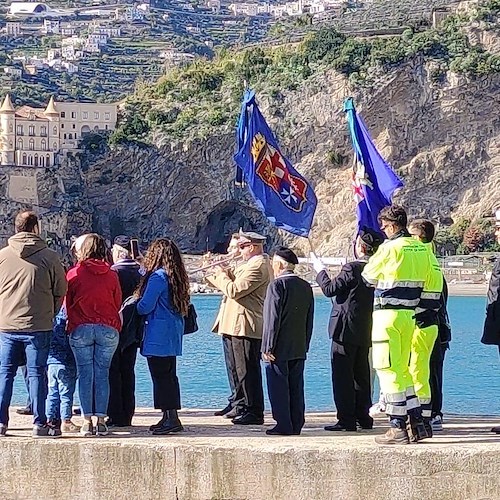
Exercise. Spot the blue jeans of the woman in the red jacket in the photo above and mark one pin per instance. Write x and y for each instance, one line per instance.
(93, 347)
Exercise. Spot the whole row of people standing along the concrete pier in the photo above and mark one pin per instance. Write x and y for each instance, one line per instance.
(83, 328)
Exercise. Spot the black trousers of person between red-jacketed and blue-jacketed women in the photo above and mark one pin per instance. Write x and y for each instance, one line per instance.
(121, 406)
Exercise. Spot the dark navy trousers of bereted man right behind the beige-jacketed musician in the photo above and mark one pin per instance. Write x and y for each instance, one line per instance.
(285, 386)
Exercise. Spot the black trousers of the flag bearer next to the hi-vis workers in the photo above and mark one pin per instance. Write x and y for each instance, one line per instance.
(351, 384)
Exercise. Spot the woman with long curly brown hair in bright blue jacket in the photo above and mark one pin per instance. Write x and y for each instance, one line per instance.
(164, 300)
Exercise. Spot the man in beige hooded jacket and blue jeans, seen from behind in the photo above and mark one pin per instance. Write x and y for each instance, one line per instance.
(32, 288)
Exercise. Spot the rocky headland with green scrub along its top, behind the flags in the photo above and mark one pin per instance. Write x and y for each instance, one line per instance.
(430, 100)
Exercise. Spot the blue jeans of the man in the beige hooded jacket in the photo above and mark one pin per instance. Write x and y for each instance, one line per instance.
(12, 347)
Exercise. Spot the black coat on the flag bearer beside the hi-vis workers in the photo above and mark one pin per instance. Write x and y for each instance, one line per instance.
(351, 318)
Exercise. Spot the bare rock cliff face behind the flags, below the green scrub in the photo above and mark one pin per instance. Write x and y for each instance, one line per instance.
(442, 138)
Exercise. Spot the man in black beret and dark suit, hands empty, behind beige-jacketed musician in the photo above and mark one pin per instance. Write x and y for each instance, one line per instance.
(288, 325)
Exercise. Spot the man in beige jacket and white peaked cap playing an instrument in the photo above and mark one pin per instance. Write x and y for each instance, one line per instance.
(240, 316)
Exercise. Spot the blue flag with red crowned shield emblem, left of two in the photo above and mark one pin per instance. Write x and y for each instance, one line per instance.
(281, 193)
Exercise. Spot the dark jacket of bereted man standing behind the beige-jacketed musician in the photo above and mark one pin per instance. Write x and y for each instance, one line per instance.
(288, 317)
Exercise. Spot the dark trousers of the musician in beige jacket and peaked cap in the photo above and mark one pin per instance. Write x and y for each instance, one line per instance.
(246, 353)
